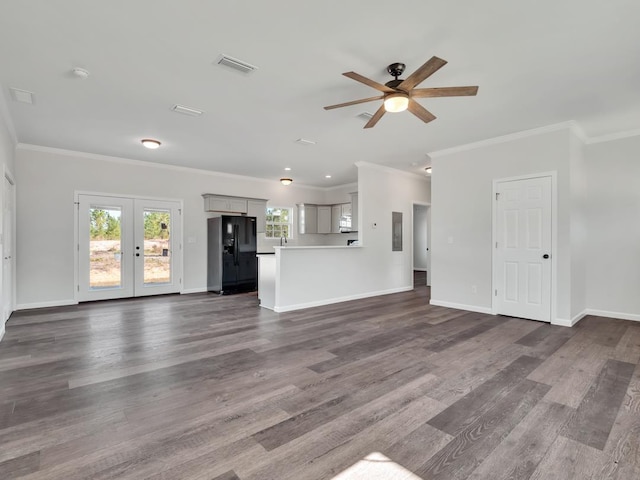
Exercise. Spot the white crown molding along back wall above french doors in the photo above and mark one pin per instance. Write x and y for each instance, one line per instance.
(146, 164)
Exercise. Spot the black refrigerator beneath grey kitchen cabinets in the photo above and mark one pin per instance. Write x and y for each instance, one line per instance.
(232, 265)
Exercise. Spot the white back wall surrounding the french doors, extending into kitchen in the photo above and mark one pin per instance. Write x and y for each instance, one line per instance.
(47, 181)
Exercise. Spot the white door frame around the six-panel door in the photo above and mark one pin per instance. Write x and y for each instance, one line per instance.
(554, 236)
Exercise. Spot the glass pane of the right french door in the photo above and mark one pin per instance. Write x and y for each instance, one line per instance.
(157, 246)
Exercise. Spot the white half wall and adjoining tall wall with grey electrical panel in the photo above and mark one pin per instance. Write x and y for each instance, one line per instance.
(309, 277)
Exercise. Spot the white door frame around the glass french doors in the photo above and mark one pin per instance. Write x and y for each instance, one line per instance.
(76, 233)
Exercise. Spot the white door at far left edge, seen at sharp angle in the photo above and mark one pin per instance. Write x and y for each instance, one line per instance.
(7, 248)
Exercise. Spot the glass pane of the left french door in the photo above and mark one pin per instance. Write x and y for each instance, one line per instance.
(105, 250)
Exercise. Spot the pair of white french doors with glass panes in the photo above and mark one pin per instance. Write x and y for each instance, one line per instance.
(127, 247)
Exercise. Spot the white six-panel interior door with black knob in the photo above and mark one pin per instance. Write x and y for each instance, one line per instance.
(522, 261)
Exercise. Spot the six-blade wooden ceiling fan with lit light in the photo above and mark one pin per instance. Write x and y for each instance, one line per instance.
(399, 94)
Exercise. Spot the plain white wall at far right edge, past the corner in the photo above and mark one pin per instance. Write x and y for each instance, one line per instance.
(613, 223)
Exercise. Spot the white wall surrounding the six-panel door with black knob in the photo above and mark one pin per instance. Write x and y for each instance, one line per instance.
(462, 212)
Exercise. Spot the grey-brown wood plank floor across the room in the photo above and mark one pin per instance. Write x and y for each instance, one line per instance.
(208, 387)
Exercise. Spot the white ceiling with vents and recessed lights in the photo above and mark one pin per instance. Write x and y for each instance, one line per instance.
(537, 63)
